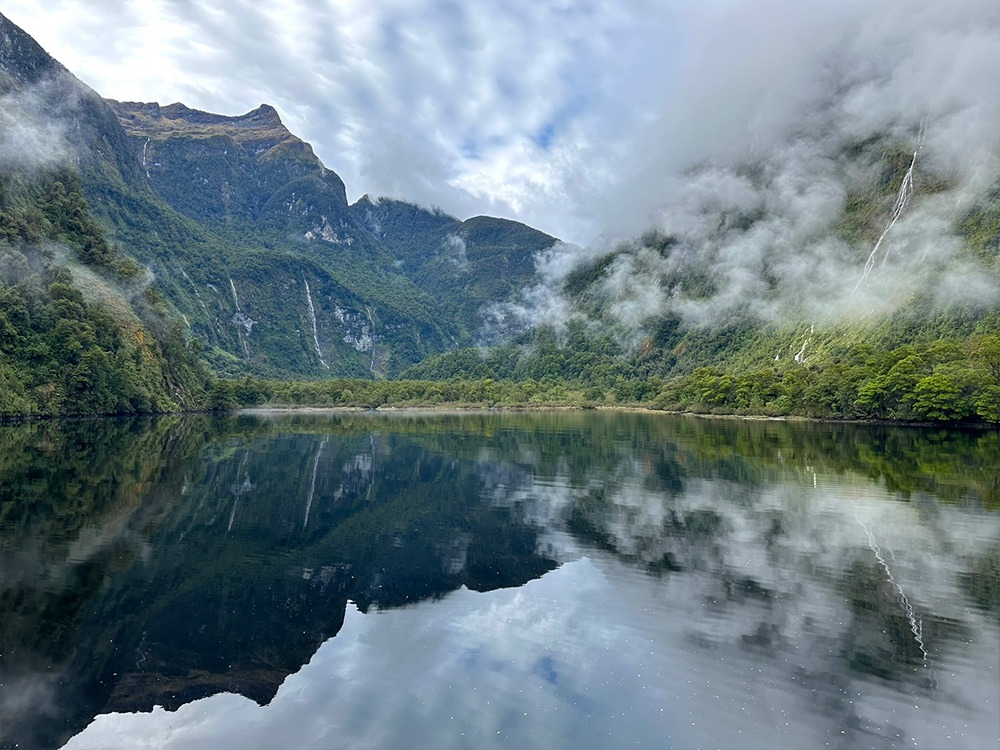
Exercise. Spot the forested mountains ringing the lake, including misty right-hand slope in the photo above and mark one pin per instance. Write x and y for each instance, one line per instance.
(826, 272)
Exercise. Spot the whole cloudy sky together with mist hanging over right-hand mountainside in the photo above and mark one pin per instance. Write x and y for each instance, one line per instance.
(742, 130)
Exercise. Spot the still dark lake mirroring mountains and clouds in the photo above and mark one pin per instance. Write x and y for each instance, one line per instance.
(578, 580)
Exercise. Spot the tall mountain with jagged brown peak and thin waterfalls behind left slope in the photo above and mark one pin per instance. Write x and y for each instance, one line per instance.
(286, 283)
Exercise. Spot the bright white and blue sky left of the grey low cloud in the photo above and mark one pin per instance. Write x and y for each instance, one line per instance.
(517, 109)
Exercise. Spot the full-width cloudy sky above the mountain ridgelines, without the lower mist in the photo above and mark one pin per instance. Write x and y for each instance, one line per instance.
(567, 114)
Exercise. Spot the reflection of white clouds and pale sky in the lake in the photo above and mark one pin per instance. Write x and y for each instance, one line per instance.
(597, 648)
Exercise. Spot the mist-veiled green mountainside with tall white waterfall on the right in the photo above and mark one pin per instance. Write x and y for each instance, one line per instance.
(887, 306)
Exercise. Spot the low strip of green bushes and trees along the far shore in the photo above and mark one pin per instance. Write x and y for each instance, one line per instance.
(939, 382)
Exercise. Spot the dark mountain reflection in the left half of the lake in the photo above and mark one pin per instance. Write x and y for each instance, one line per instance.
(216, 606)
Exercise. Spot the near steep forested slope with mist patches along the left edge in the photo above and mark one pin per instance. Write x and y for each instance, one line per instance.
(80, 331)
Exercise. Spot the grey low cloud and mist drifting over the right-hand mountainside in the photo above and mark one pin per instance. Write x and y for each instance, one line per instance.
(786, 117)
